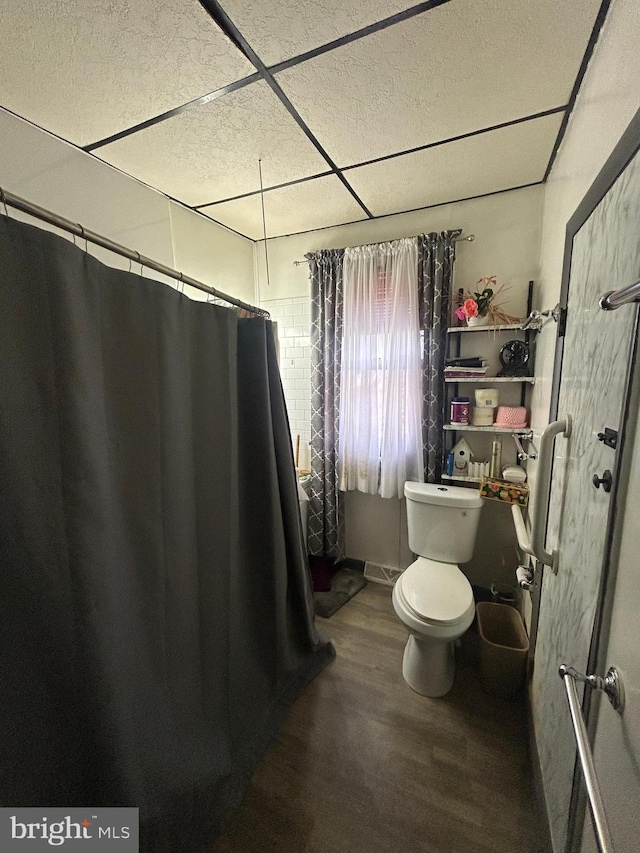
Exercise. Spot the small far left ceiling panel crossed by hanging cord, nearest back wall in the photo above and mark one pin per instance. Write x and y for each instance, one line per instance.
(302, 207)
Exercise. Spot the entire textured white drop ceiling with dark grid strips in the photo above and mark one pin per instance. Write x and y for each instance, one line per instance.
(117, 77)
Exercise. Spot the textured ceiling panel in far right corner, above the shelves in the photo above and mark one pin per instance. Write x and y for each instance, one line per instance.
(501, 159)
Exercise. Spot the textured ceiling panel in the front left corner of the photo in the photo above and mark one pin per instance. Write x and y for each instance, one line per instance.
(85, 69)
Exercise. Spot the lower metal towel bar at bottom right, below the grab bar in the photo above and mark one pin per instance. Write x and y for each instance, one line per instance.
(612, 687)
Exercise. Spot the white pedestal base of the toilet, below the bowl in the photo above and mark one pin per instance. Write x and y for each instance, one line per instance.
(429, 666)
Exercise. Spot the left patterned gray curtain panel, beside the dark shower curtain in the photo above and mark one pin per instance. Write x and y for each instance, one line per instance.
(326, 521)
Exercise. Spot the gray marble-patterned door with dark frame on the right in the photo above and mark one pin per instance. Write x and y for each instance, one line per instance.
(597, 347)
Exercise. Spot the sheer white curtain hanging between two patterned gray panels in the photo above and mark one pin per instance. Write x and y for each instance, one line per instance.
(381, 393)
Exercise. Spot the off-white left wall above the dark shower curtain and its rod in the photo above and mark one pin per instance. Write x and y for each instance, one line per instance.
(55, 175)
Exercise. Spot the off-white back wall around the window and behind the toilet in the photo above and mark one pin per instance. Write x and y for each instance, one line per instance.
(507, 230)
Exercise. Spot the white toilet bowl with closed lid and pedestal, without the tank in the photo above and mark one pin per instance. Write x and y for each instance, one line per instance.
(435, 602)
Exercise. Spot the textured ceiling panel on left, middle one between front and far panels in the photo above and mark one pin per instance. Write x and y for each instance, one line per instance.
(211, 152)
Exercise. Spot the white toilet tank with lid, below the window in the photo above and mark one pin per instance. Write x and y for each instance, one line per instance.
(442, 521)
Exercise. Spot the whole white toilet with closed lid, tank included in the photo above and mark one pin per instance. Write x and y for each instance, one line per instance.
(432, 597)
